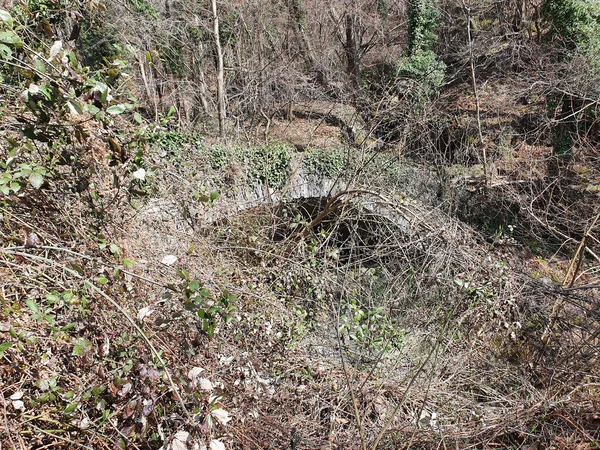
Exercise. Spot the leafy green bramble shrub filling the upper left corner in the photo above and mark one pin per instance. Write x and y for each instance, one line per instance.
(47, 90)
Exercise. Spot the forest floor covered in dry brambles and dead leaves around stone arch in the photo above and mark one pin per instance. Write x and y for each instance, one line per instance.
(128, 322)
